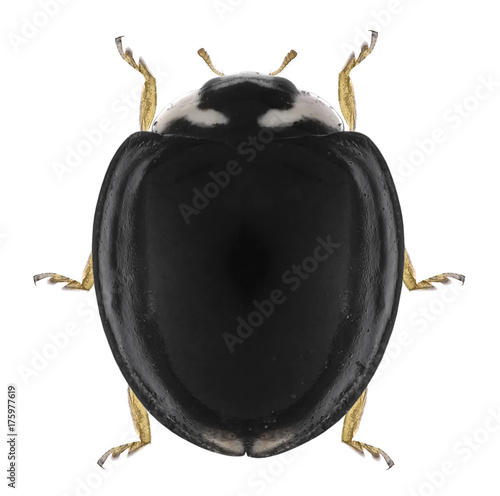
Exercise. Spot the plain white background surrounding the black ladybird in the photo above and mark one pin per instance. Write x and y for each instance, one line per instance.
(434, 405)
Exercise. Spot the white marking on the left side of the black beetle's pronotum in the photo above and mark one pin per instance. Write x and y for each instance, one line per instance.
(187, 107)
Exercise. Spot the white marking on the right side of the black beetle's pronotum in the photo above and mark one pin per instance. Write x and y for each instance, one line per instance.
(305, 106)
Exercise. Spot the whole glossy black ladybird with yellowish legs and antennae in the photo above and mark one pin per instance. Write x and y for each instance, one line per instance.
(248, 258)
